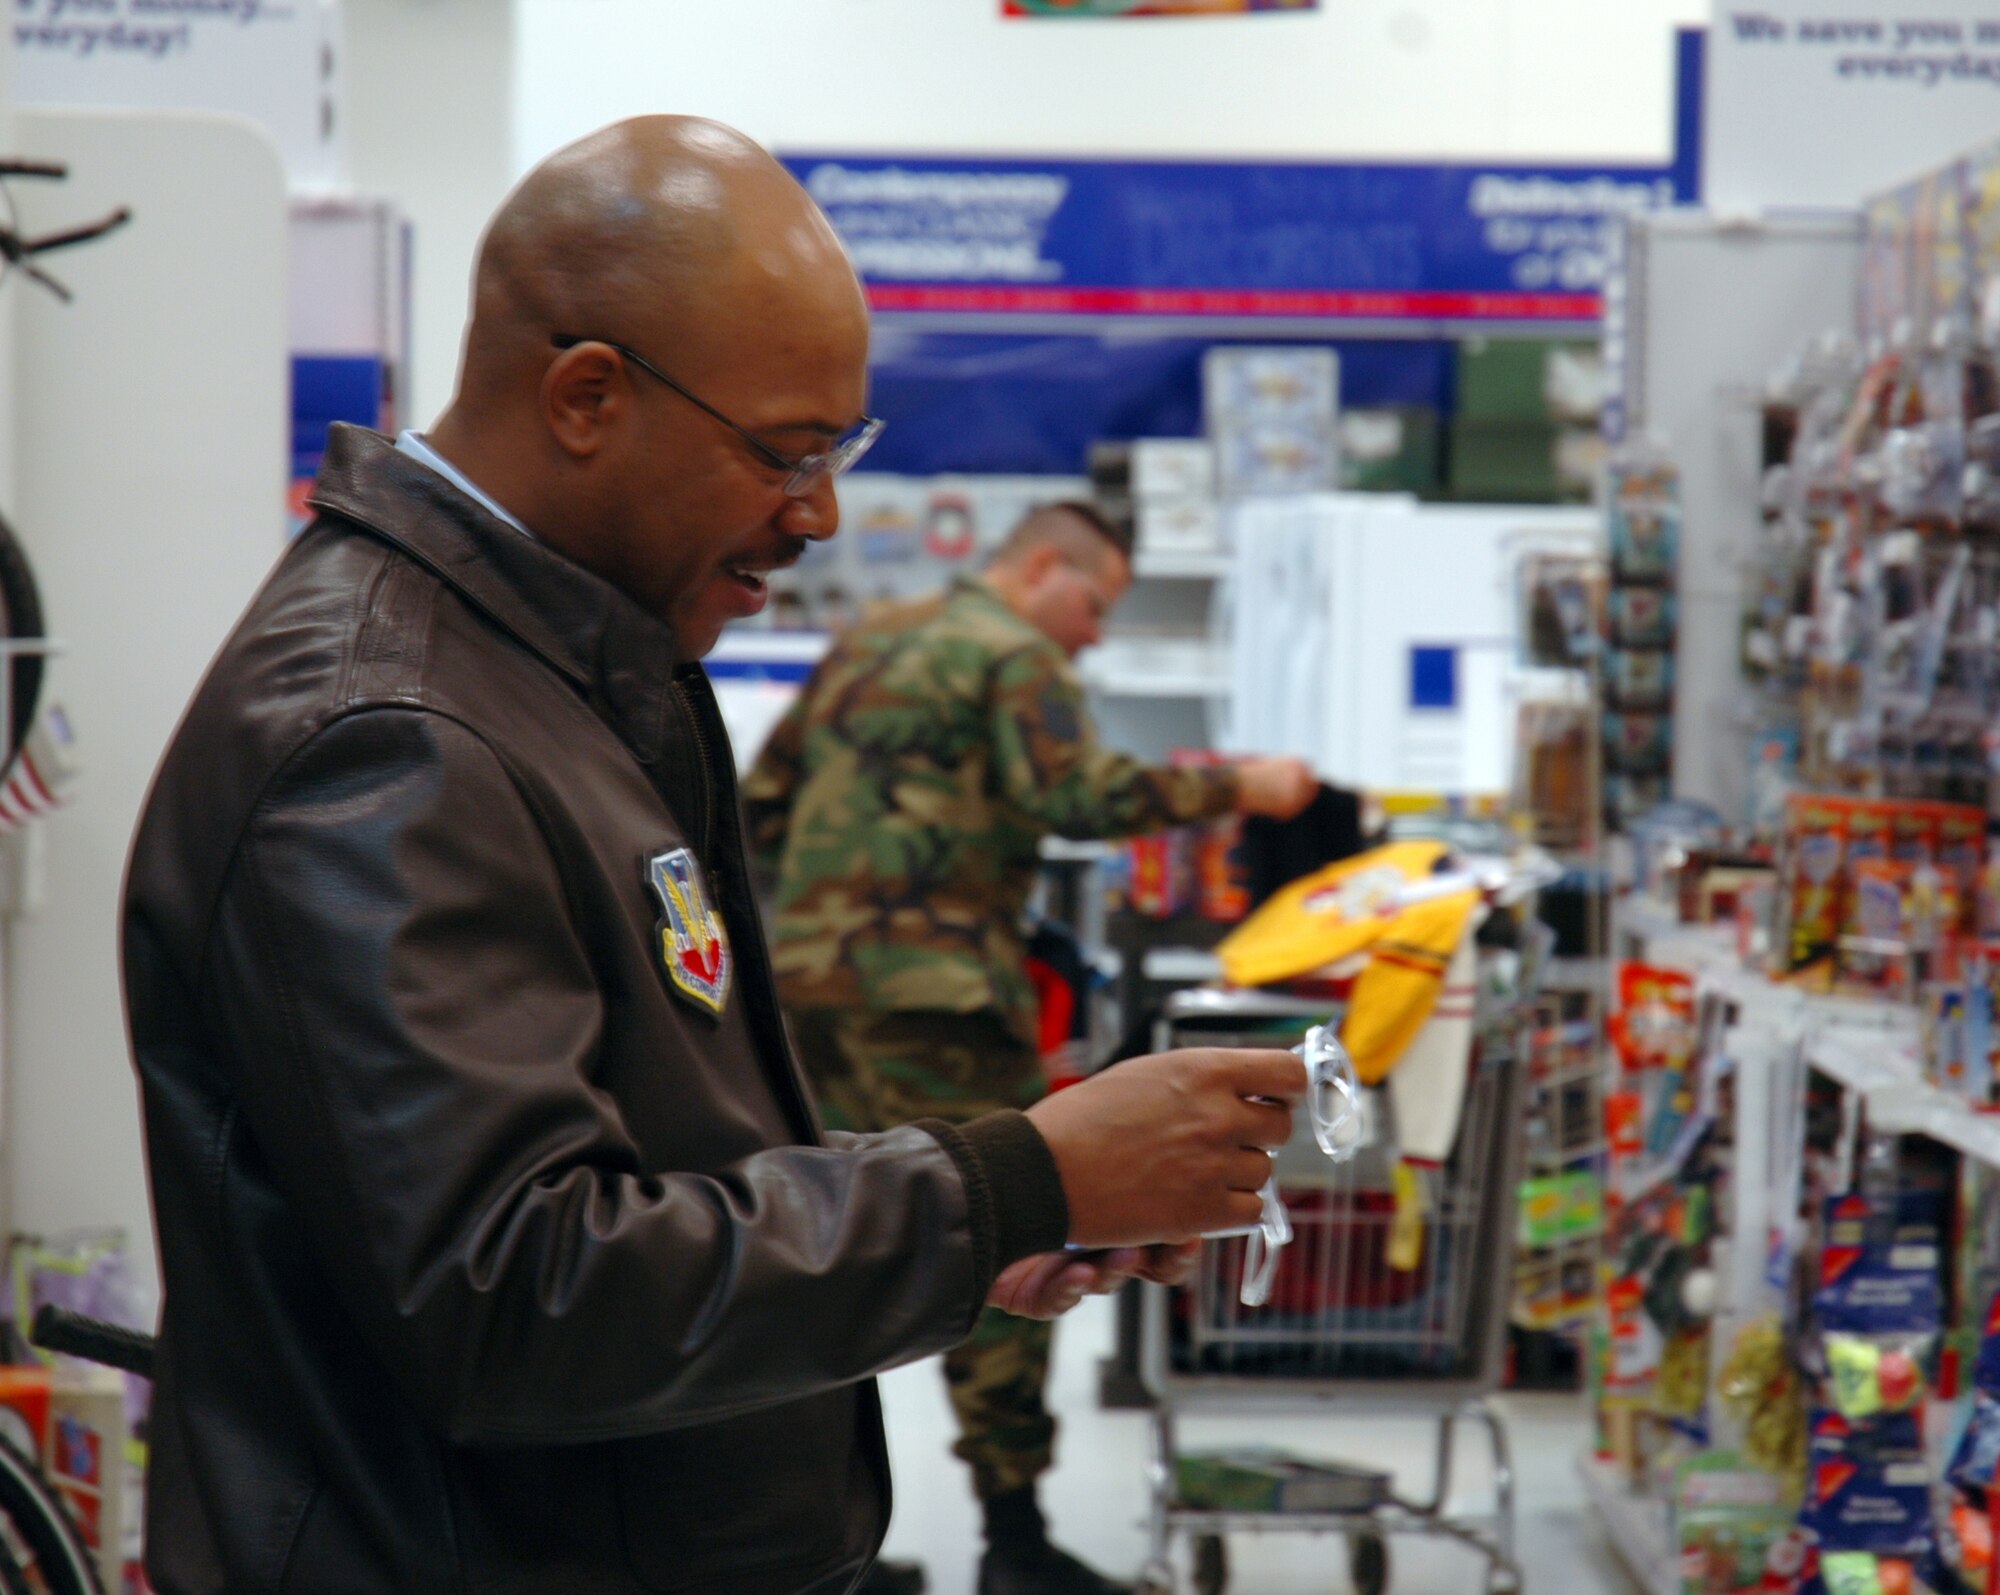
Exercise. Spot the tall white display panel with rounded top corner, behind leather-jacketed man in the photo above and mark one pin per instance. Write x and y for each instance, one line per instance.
(151, 455)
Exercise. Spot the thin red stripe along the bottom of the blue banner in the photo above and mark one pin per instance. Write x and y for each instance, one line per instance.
(1417, 307)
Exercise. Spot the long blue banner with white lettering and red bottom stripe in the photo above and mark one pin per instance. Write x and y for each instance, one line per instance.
(1239, 243)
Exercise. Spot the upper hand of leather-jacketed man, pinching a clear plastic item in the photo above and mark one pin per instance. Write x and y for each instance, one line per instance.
(1171, 1146)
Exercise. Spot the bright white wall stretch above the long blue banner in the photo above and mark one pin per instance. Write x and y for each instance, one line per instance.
(1473, 79)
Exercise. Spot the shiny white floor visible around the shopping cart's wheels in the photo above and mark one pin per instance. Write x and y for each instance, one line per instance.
(1097, 1494)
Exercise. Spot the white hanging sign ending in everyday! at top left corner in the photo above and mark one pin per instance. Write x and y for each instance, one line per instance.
(273, 61)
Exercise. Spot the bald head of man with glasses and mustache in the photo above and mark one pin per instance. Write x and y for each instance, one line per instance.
(661, 323)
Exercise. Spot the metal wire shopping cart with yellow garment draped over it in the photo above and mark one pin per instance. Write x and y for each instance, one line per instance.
(1391, 1302)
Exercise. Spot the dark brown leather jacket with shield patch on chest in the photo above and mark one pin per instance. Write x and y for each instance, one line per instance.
(497, 1260)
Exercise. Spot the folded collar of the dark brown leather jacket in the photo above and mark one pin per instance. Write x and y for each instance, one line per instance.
(593, 635)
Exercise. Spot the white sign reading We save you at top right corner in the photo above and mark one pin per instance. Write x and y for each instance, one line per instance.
(1823, 103)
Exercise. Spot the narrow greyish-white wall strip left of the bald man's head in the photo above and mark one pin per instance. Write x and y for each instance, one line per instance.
(429, 93)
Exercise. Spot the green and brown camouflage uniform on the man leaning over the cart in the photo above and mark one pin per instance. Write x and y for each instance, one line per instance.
(903, 802)
